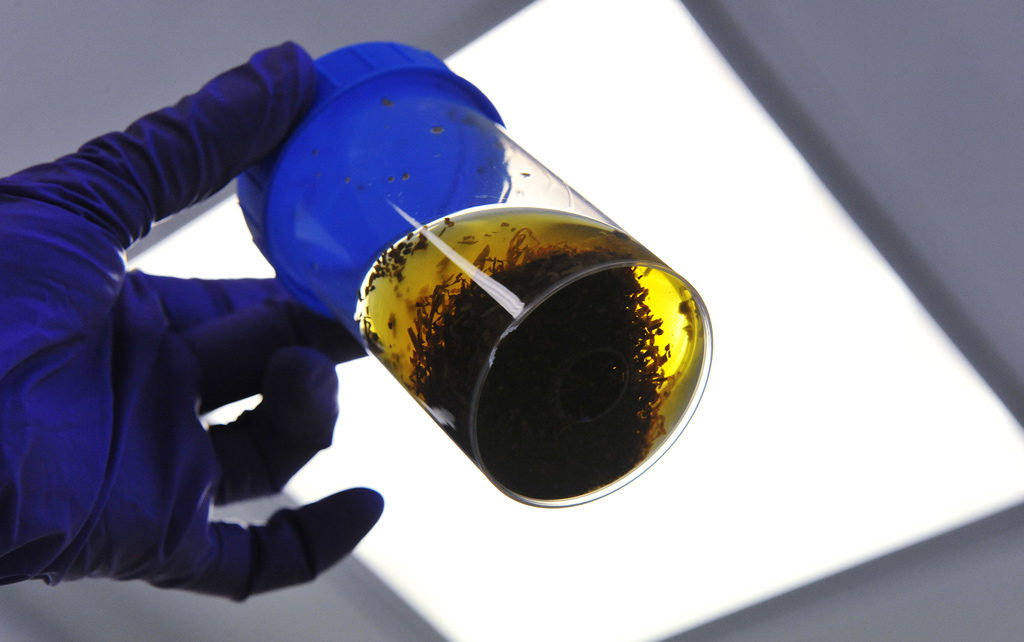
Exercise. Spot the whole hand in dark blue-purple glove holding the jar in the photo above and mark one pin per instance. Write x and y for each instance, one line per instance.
(106, 469)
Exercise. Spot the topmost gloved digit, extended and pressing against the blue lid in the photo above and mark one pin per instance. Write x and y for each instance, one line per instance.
(170, 159)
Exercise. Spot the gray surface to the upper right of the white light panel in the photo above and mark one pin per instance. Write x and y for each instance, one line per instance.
(912, 114)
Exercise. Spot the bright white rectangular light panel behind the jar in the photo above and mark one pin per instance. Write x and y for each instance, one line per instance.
(839, 423)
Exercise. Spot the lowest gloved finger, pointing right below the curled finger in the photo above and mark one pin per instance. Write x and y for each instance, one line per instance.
(294, 547)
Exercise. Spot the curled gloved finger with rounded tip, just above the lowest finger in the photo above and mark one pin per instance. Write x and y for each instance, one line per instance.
(261, 451)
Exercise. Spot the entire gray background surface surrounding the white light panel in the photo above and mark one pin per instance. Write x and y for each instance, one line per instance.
(911, 114)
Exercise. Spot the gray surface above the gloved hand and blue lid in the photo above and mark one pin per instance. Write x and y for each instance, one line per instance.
(71, 71)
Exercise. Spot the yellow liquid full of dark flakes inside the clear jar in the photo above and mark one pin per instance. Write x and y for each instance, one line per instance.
(578, 390)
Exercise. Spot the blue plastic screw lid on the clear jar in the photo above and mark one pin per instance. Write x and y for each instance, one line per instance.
(279, 192)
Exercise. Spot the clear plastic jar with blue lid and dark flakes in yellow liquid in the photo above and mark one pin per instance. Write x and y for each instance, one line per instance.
(558, 353)
